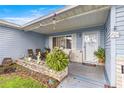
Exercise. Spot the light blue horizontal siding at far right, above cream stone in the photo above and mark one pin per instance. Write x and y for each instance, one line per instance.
(120, 29)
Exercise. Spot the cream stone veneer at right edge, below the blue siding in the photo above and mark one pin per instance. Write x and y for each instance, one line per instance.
(119, 75)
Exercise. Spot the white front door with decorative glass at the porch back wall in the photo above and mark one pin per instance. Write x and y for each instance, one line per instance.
(90, 44)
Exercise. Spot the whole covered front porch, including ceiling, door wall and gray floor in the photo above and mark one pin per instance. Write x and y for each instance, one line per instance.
(79, 31)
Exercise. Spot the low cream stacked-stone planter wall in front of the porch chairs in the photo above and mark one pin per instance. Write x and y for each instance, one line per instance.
(44, 69)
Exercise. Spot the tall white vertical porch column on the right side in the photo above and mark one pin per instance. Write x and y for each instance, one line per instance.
(113, 47)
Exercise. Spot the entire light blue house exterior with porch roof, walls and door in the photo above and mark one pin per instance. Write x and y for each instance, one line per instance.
(80, 28)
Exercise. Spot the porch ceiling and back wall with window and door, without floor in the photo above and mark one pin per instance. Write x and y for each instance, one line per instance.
(79, 29)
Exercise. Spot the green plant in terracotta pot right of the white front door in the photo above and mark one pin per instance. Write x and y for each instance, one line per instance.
(100, 54)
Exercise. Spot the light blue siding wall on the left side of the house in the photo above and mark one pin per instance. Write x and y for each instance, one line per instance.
(14, 43)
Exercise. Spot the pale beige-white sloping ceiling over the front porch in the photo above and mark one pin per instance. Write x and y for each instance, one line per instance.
(73, 19)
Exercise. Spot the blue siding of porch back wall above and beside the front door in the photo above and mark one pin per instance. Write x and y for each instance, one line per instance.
(79, 32)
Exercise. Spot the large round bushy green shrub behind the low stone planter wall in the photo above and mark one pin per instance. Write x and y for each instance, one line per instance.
(57, 60)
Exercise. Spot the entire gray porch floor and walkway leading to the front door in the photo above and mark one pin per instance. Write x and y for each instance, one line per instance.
(82, 76)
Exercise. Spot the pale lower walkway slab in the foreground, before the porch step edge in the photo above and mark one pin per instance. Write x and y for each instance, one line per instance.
(75, 81)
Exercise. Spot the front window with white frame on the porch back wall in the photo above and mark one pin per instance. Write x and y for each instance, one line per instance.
(64, 42)
